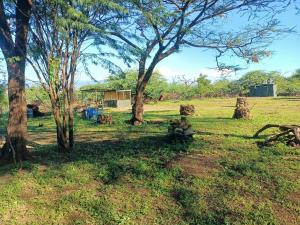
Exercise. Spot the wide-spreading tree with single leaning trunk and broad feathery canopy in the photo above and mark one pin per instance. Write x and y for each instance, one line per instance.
(153, 30)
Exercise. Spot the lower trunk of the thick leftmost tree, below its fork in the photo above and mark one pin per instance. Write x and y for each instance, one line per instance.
(15, 147)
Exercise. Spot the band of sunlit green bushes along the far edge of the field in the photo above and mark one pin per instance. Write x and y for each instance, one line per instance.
(204, 88)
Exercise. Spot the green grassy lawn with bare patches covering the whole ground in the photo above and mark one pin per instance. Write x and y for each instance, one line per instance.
(121, 174)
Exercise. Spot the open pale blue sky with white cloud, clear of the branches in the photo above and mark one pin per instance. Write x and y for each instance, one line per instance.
(192, 61)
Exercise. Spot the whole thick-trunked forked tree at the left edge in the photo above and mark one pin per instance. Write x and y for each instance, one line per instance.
(13, 43)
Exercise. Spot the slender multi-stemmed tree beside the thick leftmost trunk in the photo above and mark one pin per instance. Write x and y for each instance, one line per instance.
(61, 32)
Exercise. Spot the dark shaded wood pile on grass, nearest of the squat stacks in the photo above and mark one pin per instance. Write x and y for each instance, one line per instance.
(180, 130)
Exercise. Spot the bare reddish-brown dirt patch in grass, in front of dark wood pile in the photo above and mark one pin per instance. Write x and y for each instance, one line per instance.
(198, 165)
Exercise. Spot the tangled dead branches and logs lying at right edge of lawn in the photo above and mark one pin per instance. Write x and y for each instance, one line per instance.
(288, 133)
